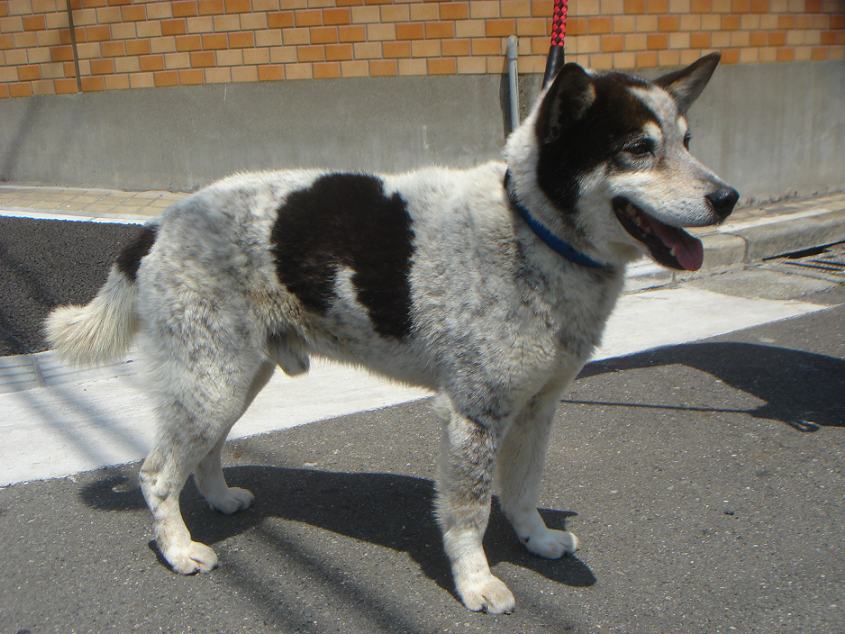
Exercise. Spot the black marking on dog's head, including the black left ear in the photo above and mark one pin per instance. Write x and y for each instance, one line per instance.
(583, 122)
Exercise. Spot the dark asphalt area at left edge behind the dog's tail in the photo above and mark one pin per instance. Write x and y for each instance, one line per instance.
(44, 263)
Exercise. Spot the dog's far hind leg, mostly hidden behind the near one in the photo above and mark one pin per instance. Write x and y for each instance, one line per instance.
(208, 475)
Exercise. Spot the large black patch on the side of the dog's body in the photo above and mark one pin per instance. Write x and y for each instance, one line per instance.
(346, 220)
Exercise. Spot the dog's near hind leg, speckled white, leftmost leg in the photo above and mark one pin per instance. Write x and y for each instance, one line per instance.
(199, 400)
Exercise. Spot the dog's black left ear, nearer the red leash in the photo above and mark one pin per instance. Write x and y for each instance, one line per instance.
(567, 100)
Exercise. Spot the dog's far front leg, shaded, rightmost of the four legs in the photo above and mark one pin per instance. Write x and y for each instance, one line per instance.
(520, 468)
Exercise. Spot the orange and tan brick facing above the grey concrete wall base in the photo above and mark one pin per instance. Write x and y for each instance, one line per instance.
(124, 44)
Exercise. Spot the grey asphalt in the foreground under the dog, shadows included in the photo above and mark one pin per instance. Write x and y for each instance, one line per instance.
(705, 481)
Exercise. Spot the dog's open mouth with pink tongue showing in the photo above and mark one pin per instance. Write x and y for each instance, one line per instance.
(671, 246)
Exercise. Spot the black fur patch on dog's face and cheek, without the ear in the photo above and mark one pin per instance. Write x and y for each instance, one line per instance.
(613, 117)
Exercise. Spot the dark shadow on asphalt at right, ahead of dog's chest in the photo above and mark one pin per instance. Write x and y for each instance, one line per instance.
(802, 389)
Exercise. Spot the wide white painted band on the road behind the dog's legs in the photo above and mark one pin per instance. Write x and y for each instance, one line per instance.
(102, 417)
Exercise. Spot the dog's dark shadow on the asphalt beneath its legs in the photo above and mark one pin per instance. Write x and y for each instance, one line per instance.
(394, 511)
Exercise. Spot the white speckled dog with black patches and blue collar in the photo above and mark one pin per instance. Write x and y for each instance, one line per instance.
(490, 286)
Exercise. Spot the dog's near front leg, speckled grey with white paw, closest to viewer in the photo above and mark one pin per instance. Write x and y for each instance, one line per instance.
(464, 488)
